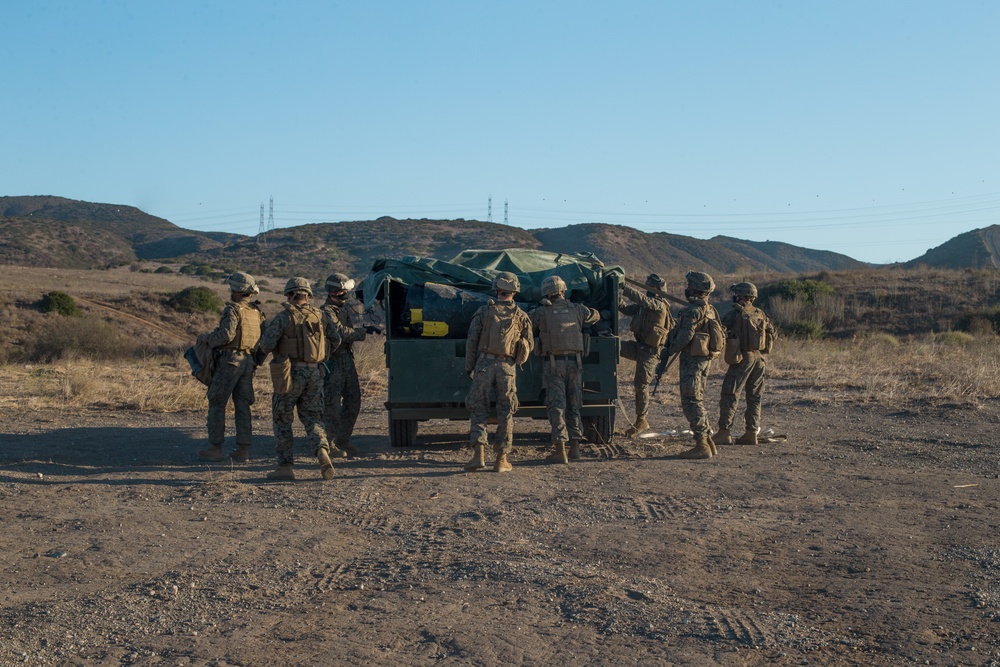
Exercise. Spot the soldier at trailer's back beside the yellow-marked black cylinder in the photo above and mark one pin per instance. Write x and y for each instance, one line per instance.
(499, 339)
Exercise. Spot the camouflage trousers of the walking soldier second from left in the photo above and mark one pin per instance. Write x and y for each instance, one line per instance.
(306, 395)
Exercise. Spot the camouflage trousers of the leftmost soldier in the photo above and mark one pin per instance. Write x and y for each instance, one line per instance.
(233, 377)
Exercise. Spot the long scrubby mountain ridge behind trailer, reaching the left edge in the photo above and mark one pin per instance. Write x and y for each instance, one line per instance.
(59, 232)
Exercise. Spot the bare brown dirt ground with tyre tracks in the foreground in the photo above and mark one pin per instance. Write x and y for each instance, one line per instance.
(870, 537)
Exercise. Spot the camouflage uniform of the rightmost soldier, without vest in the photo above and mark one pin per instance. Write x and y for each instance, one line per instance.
(747, 375)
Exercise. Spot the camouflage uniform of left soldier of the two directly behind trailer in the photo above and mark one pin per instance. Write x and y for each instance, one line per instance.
(493, 372)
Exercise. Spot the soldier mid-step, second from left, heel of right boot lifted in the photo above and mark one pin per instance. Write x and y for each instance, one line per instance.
(296, 335)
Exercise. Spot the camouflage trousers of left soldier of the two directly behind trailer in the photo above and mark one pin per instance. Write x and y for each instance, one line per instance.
(498, 376)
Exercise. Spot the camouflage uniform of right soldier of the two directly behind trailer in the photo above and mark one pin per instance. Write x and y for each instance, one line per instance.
(562, 372)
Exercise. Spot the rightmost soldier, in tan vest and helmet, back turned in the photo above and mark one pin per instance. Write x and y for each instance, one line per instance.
(749, 328)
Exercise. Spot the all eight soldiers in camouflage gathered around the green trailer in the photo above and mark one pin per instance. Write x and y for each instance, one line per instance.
(313, 370)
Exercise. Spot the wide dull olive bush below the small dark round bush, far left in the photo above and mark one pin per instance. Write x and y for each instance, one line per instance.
(85, 337)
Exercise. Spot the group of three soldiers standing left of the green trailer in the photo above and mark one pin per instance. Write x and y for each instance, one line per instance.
(312, 370)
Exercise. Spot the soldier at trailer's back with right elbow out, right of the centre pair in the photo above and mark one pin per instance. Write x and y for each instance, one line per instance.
(560, 324)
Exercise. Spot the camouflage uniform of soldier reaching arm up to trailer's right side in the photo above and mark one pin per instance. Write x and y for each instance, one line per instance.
(644, 310)
